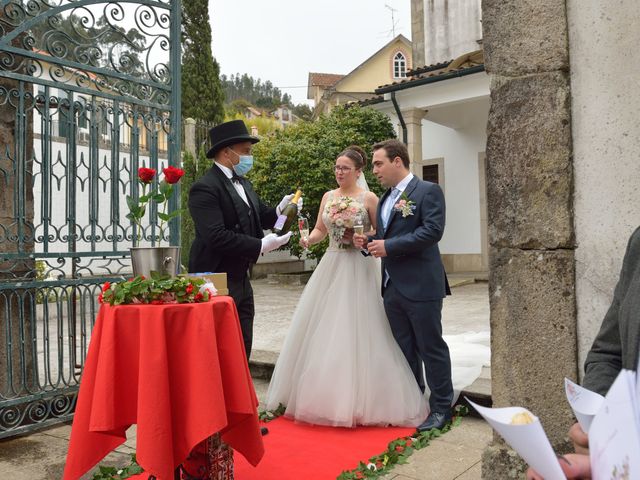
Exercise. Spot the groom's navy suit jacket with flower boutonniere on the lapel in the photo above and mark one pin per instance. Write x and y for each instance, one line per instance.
(413, 257)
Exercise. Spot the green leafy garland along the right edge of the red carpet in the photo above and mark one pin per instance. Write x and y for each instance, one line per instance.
(400, 449)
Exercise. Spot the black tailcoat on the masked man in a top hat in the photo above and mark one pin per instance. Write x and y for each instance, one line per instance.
(228, 232)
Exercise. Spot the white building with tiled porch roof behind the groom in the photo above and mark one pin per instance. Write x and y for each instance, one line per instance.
(440, 111)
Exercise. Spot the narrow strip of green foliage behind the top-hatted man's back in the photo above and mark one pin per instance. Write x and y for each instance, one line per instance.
(193, 170)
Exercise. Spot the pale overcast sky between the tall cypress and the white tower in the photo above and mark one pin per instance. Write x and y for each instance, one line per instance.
(284, 40)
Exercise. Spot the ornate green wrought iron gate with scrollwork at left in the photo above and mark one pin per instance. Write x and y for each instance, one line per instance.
(89, 92)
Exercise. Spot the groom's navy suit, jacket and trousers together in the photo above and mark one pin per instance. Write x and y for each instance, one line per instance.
(416, 285)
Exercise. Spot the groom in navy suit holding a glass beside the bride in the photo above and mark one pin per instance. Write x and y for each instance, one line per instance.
(410, 223)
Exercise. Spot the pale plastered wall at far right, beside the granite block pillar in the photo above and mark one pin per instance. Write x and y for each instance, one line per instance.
(605, 69)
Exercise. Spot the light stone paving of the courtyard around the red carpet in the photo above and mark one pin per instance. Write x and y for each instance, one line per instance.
(454, 456)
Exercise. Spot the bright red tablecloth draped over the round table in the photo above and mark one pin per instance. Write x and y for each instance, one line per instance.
(178, 371)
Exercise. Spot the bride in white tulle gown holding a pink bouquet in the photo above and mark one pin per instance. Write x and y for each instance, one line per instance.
(340, 364)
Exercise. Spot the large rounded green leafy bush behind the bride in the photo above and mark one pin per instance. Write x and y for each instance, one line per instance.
(303, 155)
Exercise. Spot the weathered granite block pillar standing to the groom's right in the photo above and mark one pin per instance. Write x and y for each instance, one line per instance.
(531, 236)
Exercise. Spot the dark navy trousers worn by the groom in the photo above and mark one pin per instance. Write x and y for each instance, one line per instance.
(417, 327)
